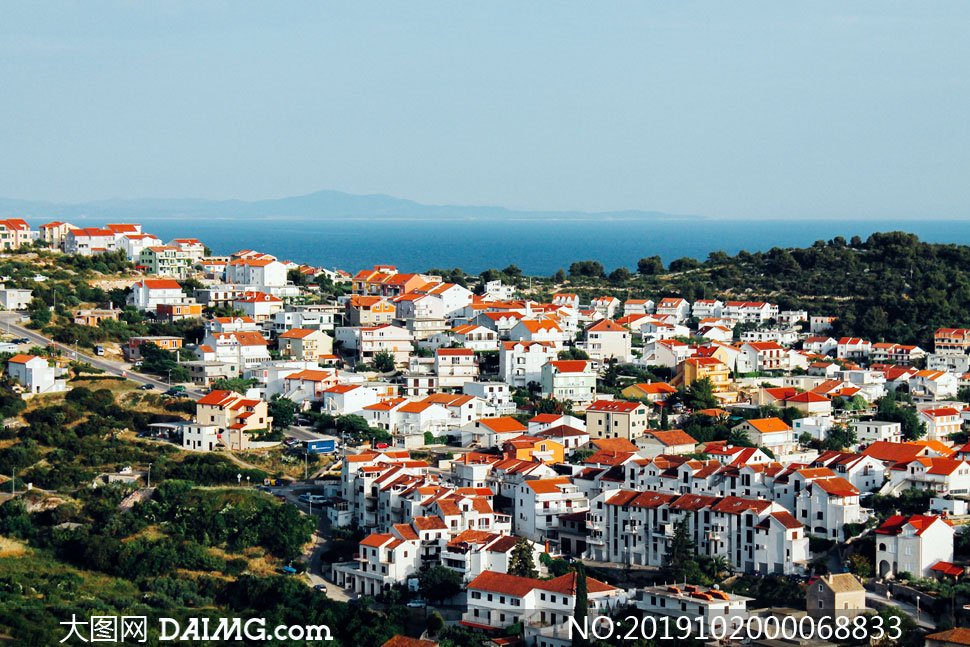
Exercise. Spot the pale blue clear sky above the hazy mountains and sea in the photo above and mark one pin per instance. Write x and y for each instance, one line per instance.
(723, 109)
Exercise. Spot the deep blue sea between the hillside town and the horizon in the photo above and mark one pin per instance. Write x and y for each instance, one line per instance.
(537, 247)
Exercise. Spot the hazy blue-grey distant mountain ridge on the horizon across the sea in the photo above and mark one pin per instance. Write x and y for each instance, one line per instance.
(322, 205)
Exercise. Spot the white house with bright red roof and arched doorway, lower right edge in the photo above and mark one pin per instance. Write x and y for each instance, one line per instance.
(912, 545)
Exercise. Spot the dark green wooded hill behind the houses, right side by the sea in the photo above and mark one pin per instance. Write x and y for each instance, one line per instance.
(889, 287)
